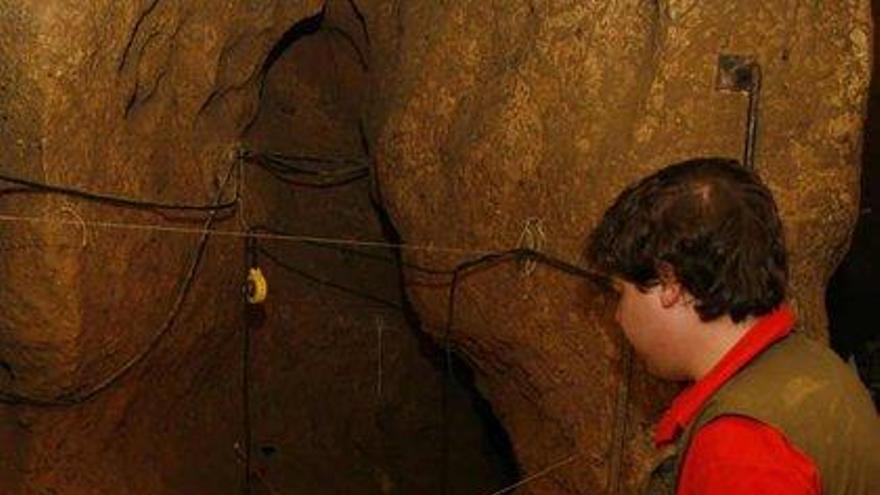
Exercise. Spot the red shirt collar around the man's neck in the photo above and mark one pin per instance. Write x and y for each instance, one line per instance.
(767, 330)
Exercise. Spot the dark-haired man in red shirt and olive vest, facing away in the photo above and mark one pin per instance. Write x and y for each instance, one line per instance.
(696, 253)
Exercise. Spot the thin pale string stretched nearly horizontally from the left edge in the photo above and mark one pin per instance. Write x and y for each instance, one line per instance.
(236, 234)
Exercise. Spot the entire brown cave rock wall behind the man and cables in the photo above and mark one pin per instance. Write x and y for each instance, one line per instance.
(488, 124)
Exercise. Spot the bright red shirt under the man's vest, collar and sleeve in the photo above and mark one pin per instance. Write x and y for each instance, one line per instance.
(735, 455)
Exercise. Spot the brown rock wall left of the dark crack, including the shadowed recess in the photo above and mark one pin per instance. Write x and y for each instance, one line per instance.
(122, 352)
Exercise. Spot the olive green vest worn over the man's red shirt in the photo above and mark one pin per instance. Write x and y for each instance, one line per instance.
(802, 389)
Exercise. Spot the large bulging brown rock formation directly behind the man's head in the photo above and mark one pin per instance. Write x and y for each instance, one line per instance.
(501, 124)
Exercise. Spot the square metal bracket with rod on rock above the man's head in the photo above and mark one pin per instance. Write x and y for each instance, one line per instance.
(740, 73)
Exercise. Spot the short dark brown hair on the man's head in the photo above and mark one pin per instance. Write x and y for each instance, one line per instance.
(713, 222)
